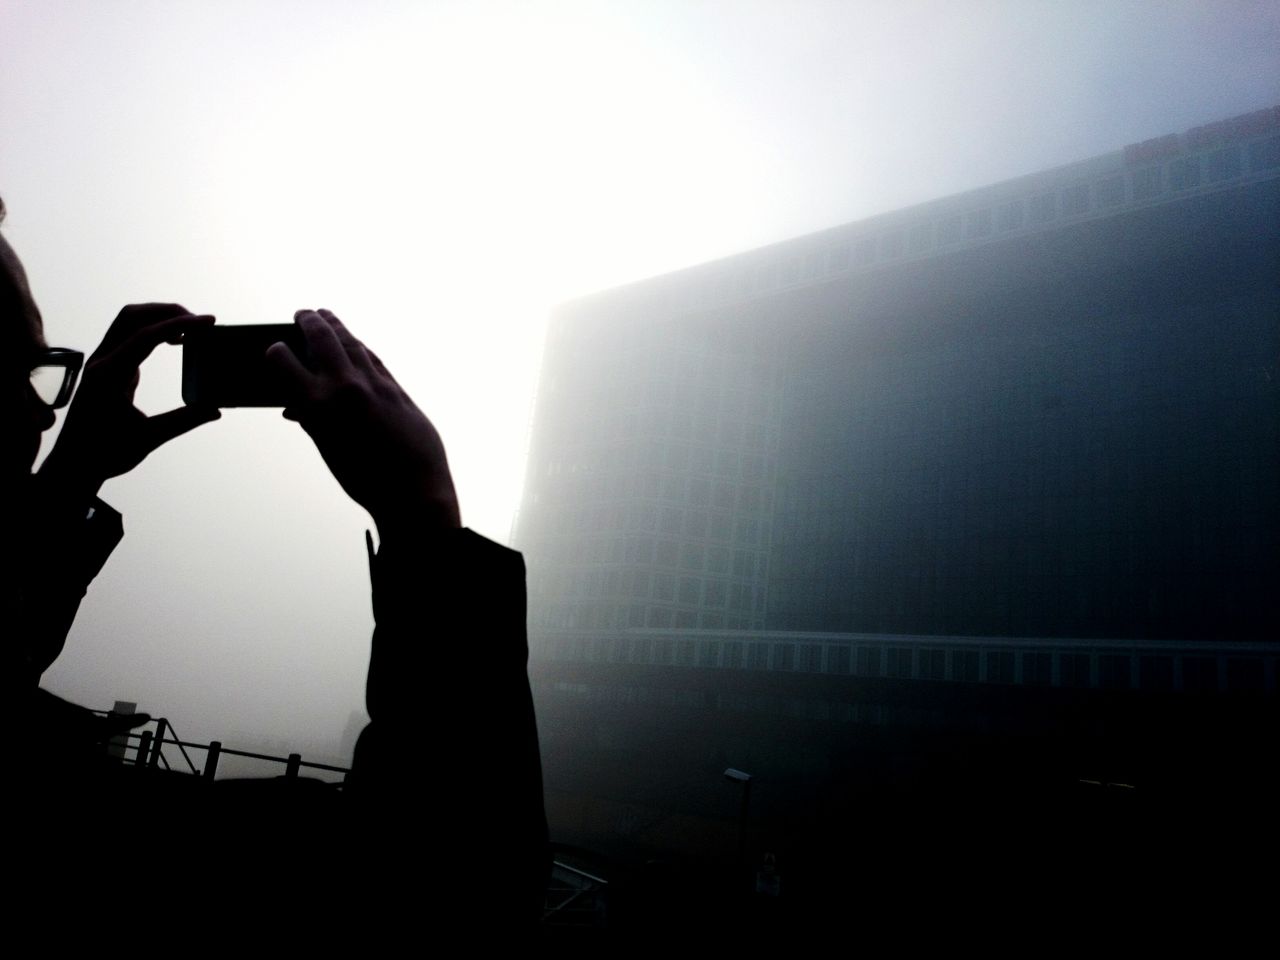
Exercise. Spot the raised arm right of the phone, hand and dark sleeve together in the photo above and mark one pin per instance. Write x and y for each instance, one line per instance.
(449, 772)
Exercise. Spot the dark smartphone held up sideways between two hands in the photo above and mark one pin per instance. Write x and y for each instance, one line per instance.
(226, 367)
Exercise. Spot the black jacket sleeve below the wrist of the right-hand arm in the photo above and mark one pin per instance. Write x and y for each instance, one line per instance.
(451, 762)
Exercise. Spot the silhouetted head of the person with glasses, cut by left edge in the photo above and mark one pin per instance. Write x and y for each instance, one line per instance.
(24, 417)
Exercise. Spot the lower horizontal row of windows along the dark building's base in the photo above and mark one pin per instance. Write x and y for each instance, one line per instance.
(1199, 673)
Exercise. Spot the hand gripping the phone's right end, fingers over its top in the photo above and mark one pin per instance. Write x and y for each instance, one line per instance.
(380, 446)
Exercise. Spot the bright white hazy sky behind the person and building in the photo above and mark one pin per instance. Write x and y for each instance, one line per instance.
(441, 175)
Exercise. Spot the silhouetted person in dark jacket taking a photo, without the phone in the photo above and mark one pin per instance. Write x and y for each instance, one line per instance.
(442, 817)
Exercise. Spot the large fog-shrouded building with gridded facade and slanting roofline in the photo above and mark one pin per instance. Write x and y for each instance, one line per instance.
(1025, 435)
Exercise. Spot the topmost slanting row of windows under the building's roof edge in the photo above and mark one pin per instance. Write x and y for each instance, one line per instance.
(1141, 185)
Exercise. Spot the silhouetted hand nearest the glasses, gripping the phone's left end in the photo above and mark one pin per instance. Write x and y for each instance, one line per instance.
(106, 435)
